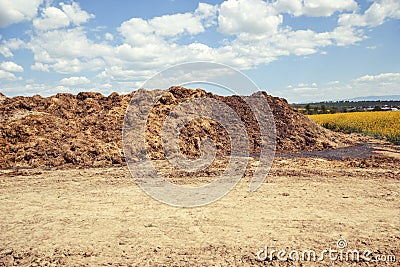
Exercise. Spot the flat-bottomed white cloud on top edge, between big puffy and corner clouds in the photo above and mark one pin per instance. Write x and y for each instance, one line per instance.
(315, 8)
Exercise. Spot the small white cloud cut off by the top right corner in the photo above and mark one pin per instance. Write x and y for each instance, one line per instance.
(375, 15)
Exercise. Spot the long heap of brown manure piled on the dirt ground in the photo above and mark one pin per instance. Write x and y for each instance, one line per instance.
(84, 130)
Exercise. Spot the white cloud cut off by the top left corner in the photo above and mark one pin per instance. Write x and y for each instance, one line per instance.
(14, 11)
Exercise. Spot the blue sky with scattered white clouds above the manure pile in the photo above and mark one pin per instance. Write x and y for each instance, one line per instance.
(303, 50)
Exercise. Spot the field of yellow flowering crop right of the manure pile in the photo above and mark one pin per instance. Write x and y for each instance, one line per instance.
(381, 124)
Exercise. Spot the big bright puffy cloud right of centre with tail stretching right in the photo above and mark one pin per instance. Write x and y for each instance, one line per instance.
(261, 37)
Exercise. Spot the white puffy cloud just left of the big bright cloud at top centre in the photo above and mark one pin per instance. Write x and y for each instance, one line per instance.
(149, 44)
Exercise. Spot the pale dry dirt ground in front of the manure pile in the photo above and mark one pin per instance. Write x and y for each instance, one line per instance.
(100, 216)
